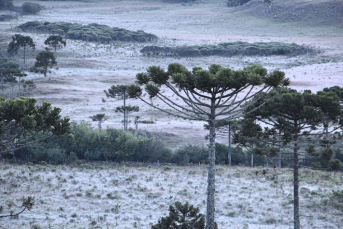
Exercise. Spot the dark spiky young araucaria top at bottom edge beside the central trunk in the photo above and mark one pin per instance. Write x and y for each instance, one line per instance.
(182, 216)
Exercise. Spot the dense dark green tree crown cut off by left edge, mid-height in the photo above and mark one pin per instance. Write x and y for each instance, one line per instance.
(22, 123)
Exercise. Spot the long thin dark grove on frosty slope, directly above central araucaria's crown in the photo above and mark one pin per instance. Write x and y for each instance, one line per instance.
(231, 49)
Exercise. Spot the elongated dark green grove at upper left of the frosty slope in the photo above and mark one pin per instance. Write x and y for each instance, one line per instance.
(92, 32)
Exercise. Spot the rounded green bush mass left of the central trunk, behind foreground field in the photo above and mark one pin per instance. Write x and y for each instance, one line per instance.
(83, 142)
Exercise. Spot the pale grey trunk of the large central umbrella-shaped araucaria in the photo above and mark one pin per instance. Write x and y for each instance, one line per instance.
(211, 173)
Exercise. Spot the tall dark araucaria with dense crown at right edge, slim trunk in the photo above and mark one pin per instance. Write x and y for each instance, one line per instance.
(299, 115)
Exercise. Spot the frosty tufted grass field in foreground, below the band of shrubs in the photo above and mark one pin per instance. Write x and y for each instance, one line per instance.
(136, 197)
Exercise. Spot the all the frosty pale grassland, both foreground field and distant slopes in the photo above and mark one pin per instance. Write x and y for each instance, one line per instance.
(126, 197)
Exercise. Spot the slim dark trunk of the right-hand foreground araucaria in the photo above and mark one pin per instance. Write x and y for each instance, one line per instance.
(296, 178)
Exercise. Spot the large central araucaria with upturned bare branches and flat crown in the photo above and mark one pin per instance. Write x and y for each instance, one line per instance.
(208, 95)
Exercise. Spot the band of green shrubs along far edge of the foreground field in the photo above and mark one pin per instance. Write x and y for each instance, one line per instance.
(85, 143)
